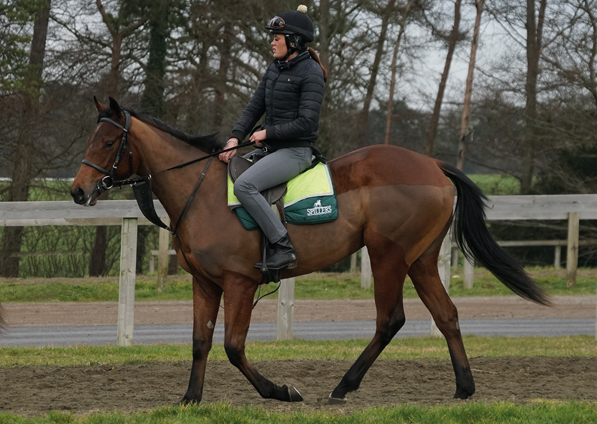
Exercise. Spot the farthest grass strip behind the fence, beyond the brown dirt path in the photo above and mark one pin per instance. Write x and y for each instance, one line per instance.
(312, 286)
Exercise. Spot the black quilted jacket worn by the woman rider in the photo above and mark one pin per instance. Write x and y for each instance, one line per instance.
(290, 96)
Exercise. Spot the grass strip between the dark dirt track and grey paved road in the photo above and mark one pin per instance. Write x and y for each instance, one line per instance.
(409, 348)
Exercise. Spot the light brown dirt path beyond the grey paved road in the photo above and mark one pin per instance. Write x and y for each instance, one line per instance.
(105, 313)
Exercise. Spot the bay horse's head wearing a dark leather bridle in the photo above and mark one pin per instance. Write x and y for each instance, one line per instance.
(109, 155)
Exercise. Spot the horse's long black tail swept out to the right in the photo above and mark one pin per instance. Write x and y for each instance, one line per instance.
(474, 239)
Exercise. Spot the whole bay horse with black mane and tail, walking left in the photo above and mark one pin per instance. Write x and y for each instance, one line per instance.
(396, 202)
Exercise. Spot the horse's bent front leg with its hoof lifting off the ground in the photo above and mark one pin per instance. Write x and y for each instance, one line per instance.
(238, 306)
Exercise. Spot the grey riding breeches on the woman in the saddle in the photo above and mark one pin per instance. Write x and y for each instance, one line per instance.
(272, 169)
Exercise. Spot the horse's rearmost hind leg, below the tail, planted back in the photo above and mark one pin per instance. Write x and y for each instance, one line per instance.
(425, 277)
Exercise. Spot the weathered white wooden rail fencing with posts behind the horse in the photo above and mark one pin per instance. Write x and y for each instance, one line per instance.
(125, 213)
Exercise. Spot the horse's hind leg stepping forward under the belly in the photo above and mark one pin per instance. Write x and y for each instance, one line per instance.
(389, 271)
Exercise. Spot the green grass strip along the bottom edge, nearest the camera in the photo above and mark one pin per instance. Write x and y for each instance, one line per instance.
(542, 412)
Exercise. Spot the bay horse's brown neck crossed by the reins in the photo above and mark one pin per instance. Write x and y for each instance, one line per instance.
(159, 151)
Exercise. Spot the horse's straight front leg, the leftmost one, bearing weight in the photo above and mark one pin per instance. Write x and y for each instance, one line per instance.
(206, 301)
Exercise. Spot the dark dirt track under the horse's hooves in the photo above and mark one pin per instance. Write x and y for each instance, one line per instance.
(135, 387)
